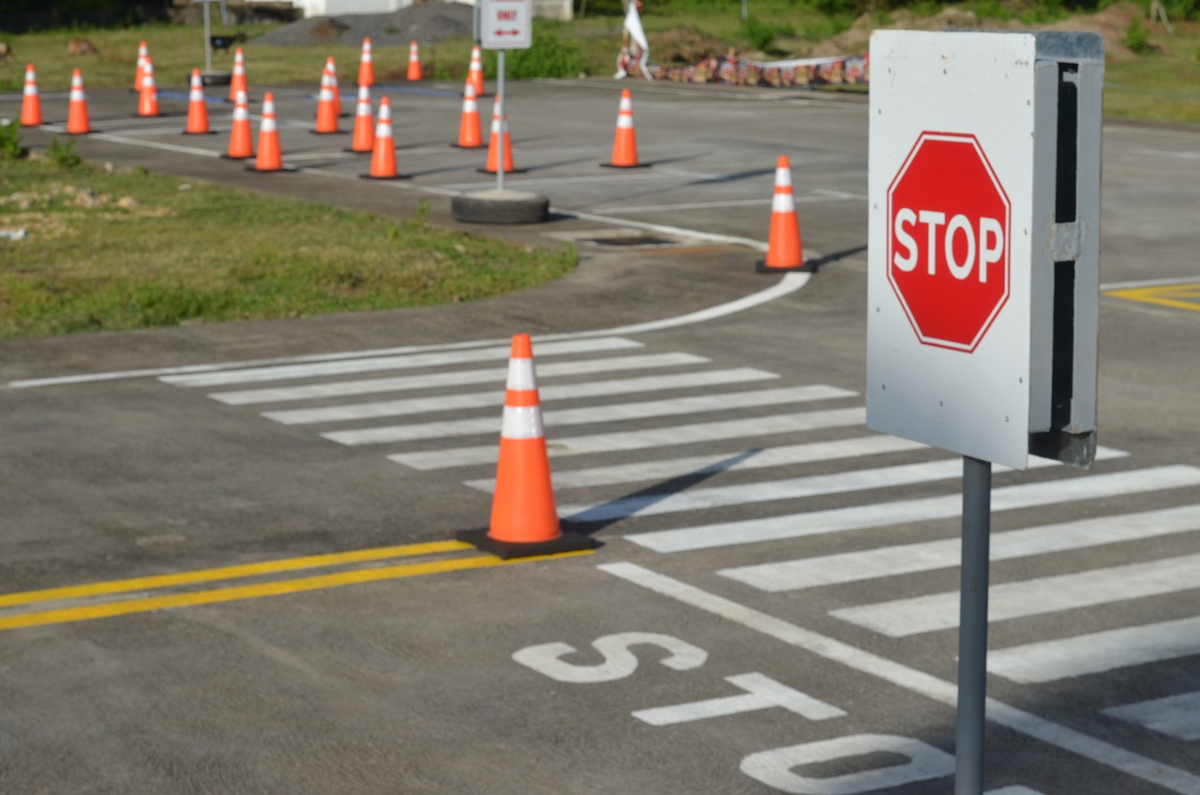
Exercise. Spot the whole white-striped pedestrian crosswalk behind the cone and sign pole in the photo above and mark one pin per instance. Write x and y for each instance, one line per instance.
(725, 458)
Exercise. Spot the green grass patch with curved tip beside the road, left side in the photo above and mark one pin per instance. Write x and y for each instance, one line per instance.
(137, 250)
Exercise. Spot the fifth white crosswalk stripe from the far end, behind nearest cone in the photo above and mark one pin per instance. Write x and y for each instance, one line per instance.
(652, 439)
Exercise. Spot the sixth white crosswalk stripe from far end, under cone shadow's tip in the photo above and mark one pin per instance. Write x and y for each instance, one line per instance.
(703, 465)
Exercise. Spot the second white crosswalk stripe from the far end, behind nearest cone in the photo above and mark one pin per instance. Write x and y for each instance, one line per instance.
(457, 379)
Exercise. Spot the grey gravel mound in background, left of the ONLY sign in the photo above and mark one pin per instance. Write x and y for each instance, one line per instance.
(428, 23)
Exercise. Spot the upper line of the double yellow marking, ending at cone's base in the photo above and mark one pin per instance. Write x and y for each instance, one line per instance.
(230, 572)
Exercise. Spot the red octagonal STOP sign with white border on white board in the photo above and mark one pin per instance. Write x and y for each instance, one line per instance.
(949, 241)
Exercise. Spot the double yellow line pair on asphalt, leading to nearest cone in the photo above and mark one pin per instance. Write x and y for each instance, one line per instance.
(231, 594)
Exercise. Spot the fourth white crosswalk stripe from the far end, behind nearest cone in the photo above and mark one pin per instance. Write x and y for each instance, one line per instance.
(608, 414)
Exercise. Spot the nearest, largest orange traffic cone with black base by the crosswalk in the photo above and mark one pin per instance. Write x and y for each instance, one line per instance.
(525, 518)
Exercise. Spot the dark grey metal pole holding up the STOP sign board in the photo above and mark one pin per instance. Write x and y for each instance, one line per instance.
(974, 627)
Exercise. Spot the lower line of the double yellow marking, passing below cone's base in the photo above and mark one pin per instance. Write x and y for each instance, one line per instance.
(266, 589)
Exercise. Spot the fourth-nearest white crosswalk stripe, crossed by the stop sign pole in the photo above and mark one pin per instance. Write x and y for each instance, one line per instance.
(929, 557)
